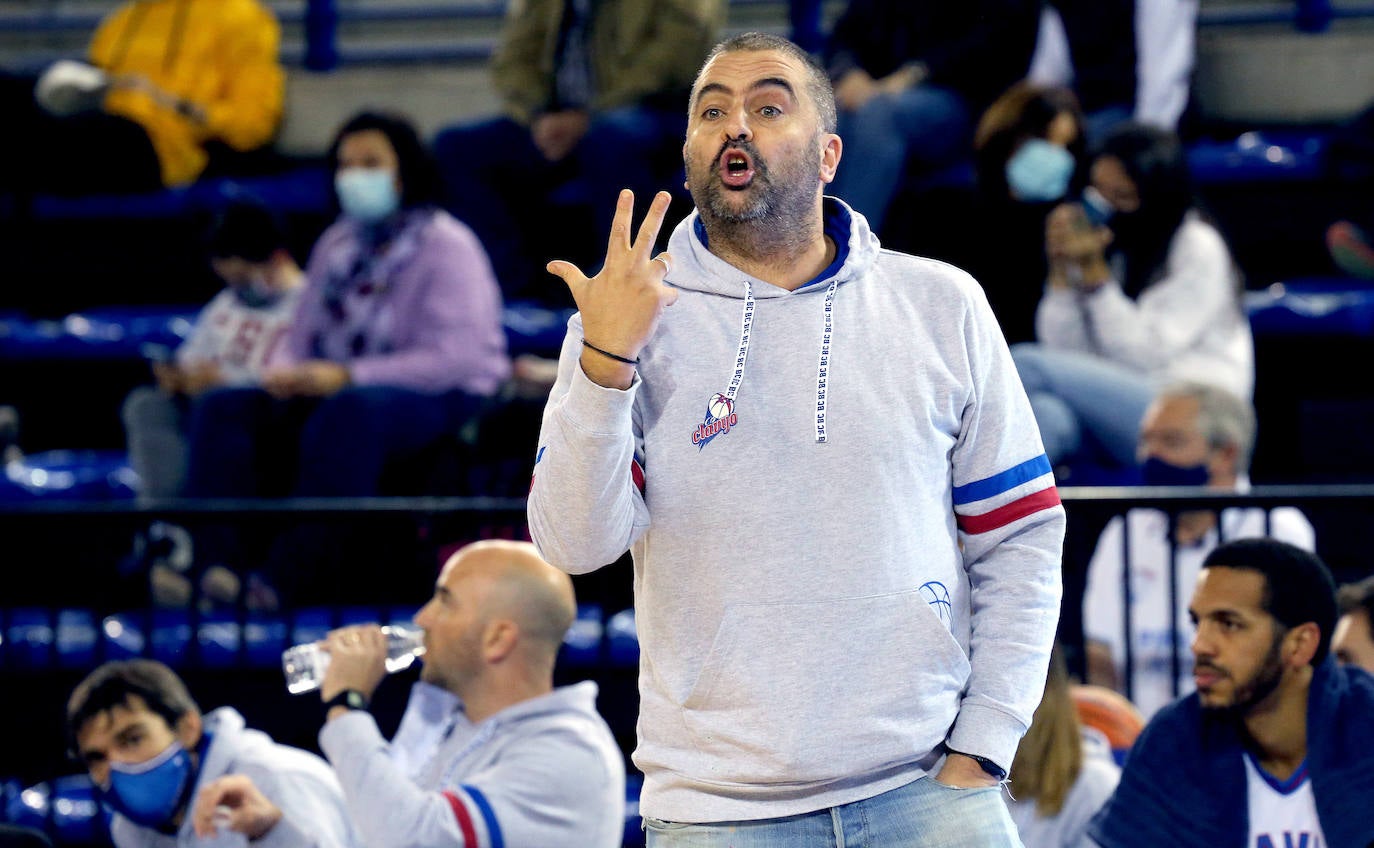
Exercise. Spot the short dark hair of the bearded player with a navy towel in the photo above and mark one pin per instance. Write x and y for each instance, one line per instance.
(1298, 585)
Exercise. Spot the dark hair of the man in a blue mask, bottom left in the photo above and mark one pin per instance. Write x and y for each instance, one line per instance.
(112, 685)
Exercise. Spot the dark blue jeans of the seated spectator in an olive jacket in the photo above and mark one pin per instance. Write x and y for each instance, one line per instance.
(519, 203)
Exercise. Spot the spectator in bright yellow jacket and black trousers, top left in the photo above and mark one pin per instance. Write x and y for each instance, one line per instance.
(174, 87)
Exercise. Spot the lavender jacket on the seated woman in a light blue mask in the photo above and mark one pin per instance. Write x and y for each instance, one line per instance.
(436, 324)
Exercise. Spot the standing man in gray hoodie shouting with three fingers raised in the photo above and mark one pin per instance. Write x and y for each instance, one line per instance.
(846, 531)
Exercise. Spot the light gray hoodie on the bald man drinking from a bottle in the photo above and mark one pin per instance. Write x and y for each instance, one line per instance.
(545, 773)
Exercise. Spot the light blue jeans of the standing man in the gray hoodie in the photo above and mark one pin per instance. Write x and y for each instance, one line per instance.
(923, 814)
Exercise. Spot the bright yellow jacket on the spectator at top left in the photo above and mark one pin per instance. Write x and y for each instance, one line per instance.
(216, 56)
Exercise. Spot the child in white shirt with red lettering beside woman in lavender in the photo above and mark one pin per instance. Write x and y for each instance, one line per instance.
(232, 342)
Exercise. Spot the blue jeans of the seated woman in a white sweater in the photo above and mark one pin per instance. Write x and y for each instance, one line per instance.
(1078, 398)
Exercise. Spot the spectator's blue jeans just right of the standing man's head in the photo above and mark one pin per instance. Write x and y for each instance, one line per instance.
(925, 126)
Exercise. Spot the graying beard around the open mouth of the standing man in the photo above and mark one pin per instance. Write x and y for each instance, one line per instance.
(787, 197)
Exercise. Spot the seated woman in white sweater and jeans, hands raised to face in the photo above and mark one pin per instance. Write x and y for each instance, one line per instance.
(1149, 296)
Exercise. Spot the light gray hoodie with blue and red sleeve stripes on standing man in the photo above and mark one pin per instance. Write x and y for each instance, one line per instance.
(846, 533)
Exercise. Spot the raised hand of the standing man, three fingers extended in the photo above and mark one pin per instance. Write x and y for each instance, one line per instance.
(622, 306)
